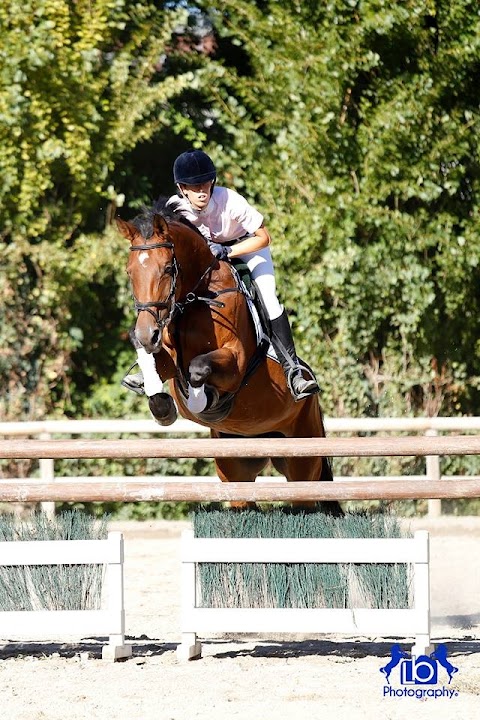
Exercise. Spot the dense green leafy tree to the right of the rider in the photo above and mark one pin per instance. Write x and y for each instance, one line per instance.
(354, 126)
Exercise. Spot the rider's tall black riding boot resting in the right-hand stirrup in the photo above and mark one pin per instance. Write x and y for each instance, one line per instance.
(282, 341)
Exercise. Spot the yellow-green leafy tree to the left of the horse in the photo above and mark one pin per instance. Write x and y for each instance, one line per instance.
(82, 85)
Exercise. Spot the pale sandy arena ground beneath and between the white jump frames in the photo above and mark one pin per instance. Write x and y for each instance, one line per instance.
(247, 677)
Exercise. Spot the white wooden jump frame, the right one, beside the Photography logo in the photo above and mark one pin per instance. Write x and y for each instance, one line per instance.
(414, 622)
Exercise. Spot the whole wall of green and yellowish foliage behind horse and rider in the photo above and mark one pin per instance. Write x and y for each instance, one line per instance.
(352, 125)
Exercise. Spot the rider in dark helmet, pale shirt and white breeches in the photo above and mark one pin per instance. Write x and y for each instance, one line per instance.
(235, 229)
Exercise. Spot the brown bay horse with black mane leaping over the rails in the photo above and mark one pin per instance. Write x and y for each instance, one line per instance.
(192, 314)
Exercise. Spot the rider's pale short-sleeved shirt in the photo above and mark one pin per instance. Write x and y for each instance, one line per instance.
(228, 216)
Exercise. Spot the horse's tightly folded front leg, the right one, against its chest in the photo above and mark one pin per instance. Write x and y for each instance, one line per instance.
(219, 368)
